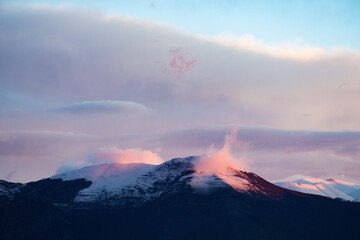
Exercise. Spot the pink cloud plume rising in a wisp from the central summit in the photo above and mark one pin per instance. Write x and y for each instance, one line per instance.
(219, 161)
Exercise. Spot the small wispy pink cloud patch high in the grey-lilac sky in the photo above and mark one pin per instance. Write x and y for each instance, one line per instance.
(179, 63)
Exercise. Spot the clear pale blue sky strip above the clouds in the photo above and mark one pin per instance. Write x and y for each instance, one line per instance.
(322, 23)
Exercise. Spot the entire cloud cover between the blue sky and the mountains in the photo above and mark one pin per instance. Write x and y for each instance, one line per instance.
(55, 56)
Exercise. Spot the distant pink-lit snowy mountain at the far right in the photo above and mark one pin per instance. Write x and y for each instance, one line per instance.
(332, 188)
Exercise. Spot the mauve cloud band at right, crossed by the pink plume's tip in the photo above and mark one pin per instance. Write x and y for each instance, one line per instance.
(345, 143)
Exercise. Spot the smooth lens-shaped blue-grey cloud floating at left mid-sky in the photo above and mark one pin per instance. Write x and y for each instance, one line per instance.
(103, 107)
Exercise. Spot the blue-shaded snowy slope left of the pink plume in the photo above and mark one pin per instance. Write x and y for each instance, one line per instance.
(129, 183)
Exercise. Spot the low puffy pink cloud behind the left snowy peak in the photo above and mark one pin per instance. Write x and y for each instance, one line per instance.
(124, 156)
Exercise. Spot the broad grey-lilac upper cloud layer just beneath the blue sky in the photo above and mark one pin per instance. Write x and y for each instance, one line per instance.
(99, 57)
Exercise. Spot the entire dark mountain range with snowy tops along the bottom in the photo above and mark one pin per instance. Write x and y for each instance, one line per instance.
(173, 200)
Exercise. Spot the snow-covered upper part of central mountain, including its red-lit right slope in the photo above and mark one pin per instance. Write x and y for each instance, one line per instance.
(135, 184)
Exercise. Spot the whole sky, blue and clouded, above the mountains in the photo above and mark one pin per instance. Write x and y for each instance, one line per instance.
(86, 82)
